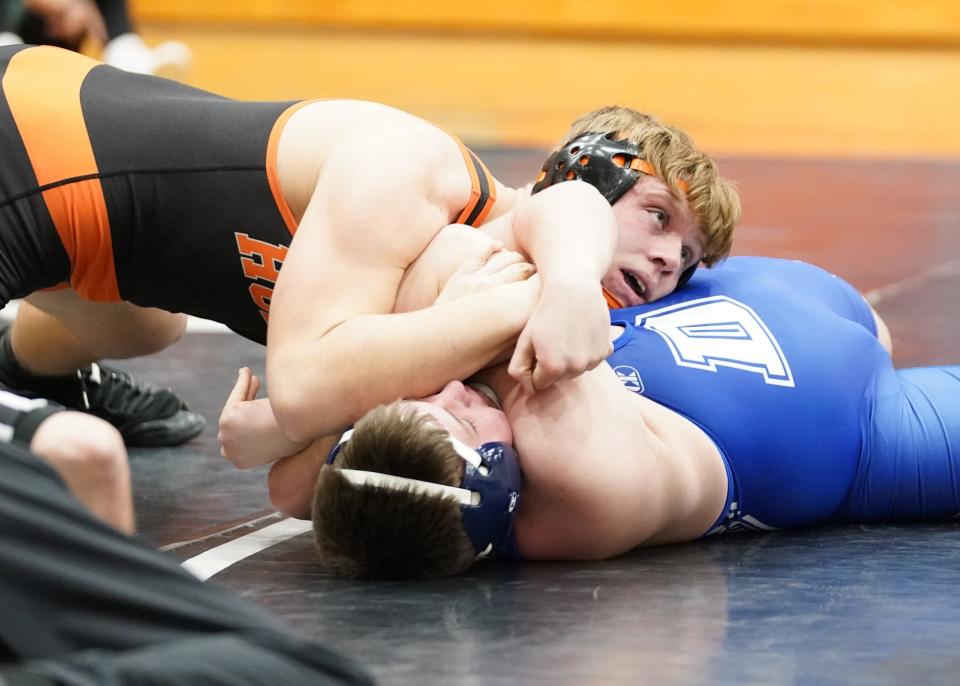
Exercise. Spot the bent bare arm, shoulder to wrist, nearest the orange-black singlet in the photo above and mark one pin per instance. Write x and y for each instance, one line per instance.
(333, 350)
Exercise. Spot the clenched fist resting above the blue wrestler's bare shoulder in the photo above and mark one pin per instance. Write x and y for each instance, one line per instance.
(567, 334)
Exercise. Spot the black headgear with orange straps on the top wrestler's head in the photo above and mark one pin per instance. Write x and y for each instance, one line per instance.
(607, 163)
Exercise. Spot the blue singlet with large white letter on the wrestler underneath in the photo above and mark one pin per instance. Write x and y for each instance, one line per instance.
(779, 363)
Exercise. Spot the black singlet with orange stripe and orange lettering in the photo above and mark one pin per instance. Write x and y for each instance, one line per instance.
(137, 188)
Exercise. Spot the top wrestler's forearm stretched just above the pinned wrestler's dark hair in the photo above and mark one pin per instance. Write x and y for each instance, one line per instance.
(318, 387)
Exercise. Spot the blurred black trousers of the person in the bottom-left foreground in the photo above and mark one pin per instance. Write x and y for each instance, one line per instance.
(81, 604)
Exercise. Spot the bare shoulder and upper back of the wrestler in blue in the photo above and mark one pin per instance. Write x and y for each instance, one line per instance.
(606, 470)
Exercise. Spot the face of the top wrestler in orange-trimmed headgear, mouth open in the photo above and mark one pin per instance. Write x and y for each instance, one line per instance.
(657, 240)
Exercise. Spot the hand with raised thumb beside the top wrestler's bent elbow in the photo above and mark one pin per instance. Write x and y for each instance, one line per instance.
(249, 434)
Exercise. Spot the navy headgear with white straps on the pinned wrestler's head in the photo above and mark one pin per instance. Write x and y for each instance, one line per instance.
(489, 493)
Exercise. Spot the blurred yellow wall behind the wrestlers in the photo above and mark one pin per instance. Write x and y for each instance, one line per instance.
(784, 77)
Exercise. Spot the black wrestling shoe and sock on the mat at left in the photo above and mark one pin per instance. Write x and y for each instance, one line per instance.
(145, 415)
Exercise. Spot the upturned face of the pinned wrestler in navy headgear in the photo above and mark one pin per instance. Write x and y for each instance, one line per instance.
(466, 414)
